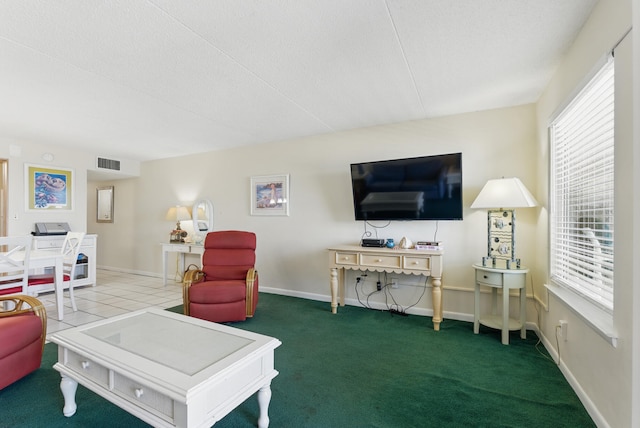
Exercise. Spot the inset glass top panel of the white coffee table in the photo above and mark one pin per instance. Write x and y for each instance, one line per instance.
(182, 346)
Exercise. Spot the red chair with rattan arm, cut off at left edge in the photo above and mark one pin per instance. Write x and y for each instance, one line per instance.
(23, 331)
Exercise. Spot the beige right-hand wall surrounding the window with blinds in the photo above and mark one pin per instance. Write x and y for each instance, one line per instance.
(598, 371)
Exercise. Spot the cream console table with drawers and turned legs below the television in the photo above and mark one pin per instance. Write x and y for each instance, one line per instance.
(412, 262)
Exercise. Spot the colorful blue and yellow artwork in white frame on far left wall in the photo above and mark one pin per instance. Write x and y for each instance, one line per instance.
(48, 189)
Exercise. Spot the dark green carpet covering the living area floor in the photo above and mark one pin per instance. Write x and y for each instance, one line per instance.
(359, 368)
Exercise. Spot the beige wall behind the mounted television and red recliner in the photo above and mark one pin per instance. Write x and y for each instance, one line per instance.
(292, 256)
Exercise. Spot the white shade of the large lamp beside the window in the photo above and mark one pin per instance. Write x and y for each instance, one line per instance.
(504, 193)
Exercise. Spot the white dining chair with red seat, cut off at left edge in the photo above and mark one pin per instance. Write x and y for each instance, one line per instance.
(14, 264)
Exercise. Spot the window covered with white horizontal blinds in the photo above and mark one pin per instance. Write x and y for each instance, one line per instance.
(581, 191)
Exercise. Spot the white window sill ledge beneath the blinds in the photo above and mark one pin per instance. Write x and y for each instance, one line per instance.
(598, 319)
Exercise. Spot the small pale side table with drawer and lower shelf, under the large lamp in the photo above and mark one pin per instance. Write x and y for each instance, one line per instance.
(506, 279)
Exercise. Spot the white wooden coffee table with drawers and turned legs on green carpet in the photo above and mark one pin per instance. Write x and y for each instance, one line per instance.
(166, 368)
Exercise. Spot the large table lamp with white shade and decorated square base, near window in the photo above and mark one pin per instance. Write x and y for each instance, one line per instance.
(500, 196)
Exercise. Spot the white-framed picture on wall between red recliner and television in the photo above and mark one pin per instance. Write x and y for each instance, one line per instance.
(270, 195)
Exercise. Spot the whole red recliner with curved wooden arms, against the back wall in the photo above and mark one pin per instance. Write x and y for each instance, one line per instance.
(229, 288)
